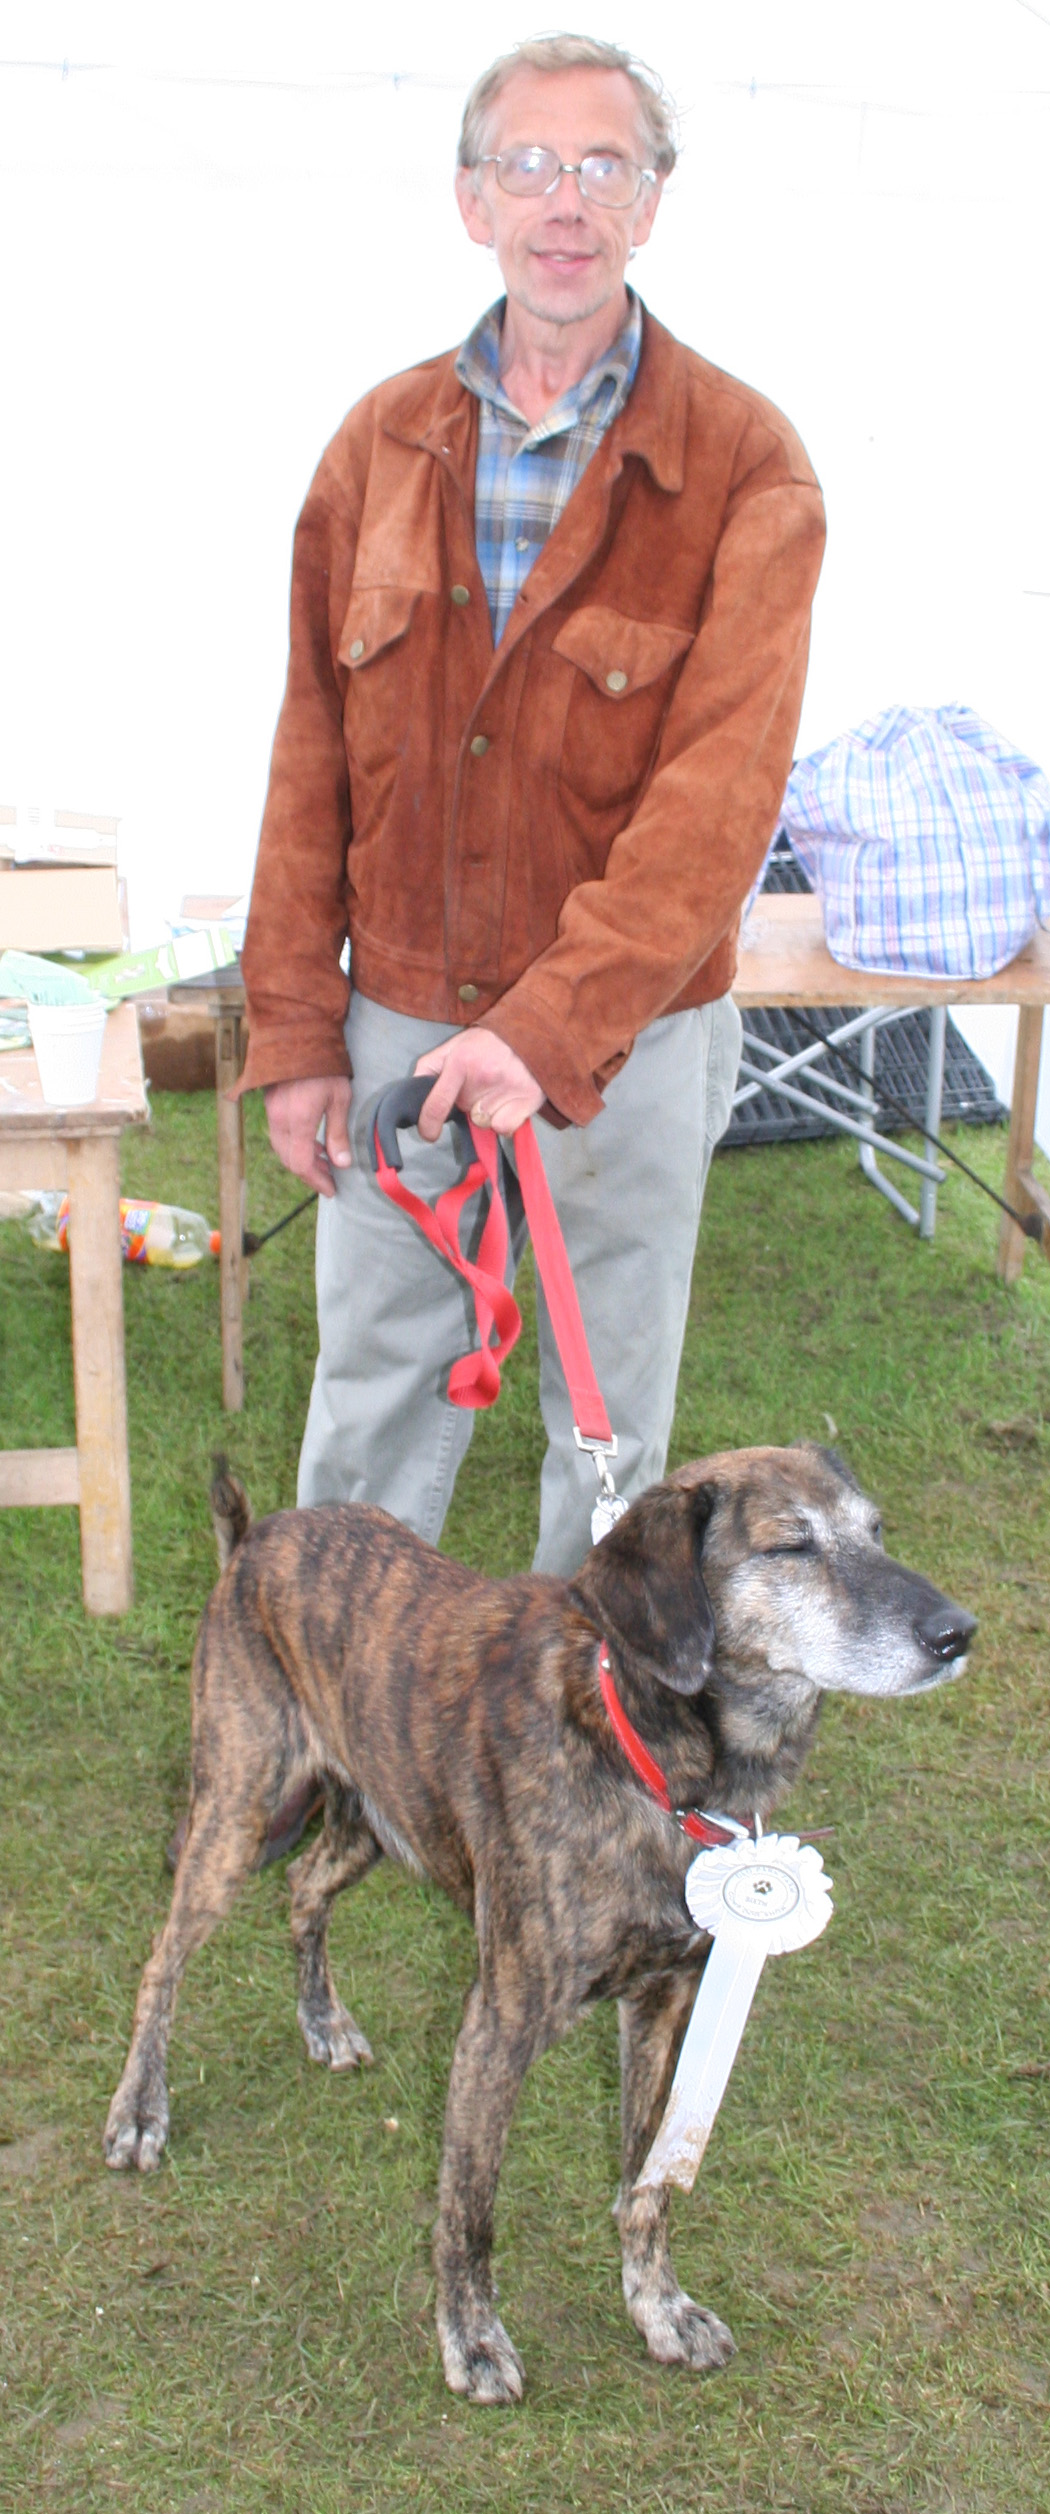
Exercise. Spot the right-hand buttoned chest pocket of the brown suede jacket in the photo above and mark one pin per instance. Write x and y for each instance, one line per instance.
(624, 678)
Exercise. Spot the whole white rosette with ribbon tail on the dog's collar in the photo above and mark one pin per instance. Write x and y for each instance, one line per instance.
(757, 1899)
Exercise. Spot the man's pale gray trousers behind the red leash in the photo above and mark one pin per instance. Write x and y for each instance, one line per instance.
(393, 1316)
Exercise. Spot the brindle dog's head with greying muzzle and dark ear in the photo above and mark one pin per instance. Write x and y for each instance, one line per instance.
(765, 1567)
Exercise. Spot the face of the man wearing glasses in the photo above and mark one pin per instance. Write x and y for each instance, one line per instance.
(561, 258)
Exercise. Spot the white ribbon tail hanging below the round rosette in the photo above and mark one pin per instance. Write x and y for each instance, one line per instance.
(705, 2063)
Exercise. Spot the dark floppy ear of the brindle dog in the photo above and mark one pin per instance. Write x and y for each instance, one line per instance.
(644, 1585)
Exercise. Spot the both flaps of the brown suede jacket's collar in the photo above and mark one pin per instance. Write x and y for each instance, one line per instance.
(441, 414)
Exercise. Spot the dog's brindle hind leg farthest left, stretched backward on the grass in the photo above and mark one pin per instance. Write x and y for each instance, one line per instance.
(220, 1852)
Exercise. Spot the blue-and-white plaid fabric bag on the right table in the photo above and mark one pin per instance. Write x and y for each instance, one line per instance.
(928, 841)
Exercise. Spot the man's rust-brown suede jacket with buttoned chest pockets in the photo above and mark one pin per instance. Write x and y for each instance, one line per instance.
(554, 836)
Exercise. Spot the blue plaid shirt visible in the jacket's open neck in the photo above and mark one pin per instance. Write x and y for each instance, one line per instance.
(526, 476)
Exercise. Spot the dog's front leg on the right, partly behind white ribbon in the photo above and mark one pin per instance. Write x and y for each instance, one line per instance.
(674, 2329)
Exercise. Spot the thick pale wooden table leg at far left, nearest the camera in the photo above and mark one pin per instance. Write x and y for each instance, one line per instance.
(102, 1409)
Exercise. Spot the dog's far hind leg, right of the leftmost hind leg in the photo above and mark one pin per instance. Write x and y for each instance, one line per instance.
(343, 1854)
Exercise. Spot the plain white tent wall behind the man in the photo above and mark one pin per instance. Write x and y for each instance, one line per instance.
(227, 222)
